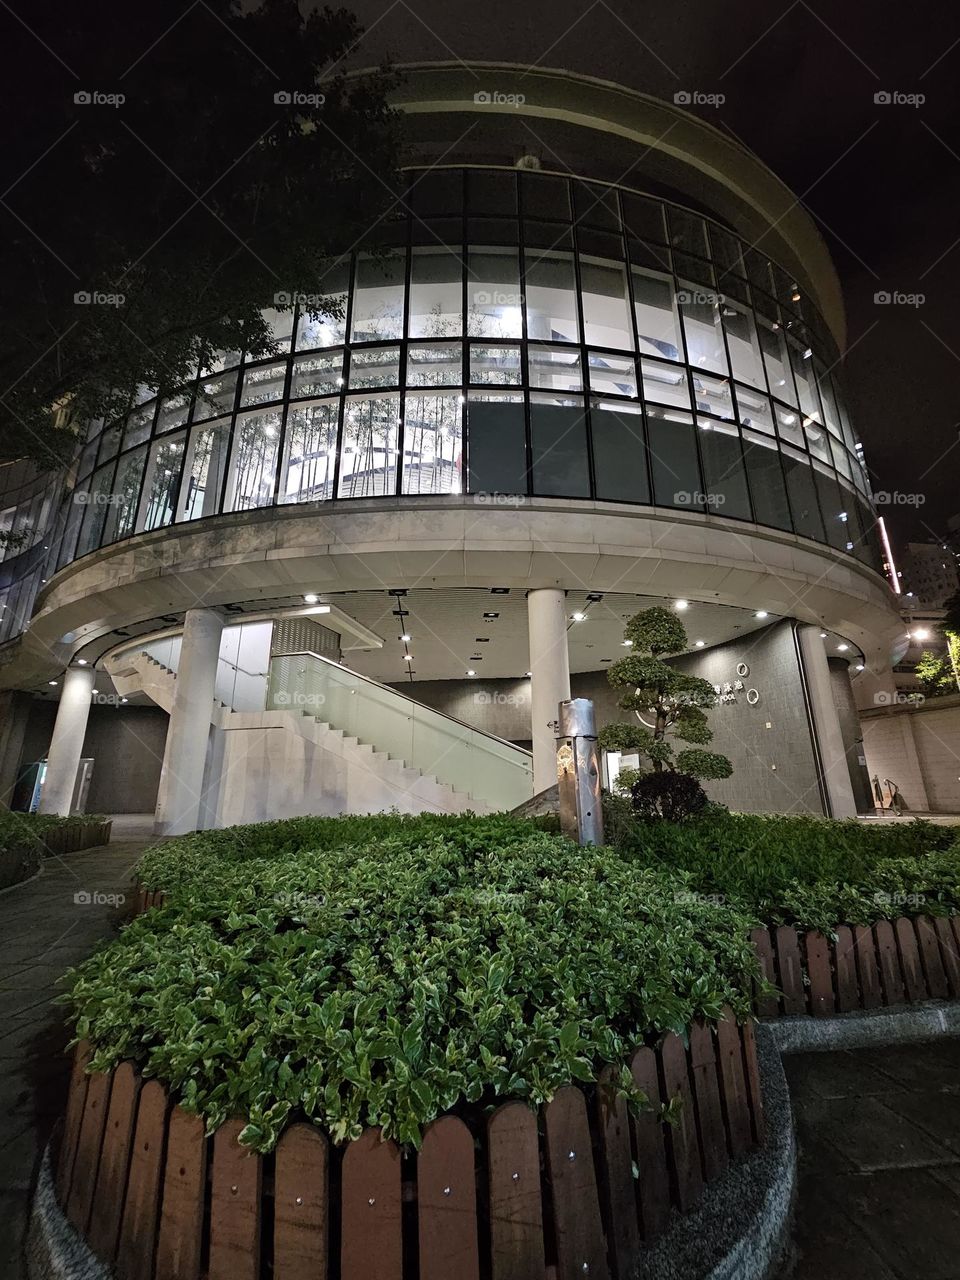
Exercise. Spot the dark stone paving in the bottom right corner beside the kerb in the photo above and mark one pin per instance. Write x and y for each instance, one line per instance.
(880, 1163)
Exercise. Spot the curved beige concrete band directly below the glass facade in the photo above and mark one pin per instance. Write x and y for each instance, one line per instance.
(378, 545)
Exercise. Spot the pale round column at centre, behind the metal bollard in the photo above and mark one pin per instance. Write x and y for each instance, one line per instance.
(550, 678)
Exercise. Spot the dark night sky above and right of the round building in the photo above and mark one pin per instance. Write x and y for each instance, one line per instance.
(883, 180)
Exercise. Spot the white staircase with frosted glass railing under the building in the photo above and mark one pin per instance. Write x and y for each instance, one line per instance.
(367, 749)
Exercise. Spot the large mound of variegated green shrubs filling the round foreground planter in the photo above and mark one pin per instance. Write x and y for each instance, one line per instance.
(399, 970)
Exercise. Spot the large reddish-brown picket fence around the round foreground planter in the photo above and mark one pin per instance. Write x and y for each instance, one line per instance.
(574, 1190)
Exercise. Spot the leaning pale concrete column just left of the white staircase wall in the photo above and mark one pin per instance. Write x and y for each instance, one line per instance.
(185, 756)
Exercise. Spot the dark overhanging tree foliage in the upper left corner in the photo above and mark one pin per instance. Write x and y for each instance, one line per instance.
(181, 166)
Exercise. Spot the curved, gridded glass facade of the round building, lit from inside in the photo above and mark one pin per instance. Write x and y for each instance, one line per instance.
(527, 333)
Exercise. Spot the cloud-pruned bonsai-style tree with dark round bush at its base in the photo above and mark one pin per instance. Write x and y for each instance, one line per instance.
(669, 706)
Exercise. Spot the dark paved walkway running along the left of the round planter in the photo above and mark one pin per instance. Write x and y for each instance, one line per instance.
(45, 927)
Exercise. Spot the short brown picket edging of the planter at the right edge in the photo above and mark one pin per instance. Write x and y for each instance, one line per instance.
(890, 963)
